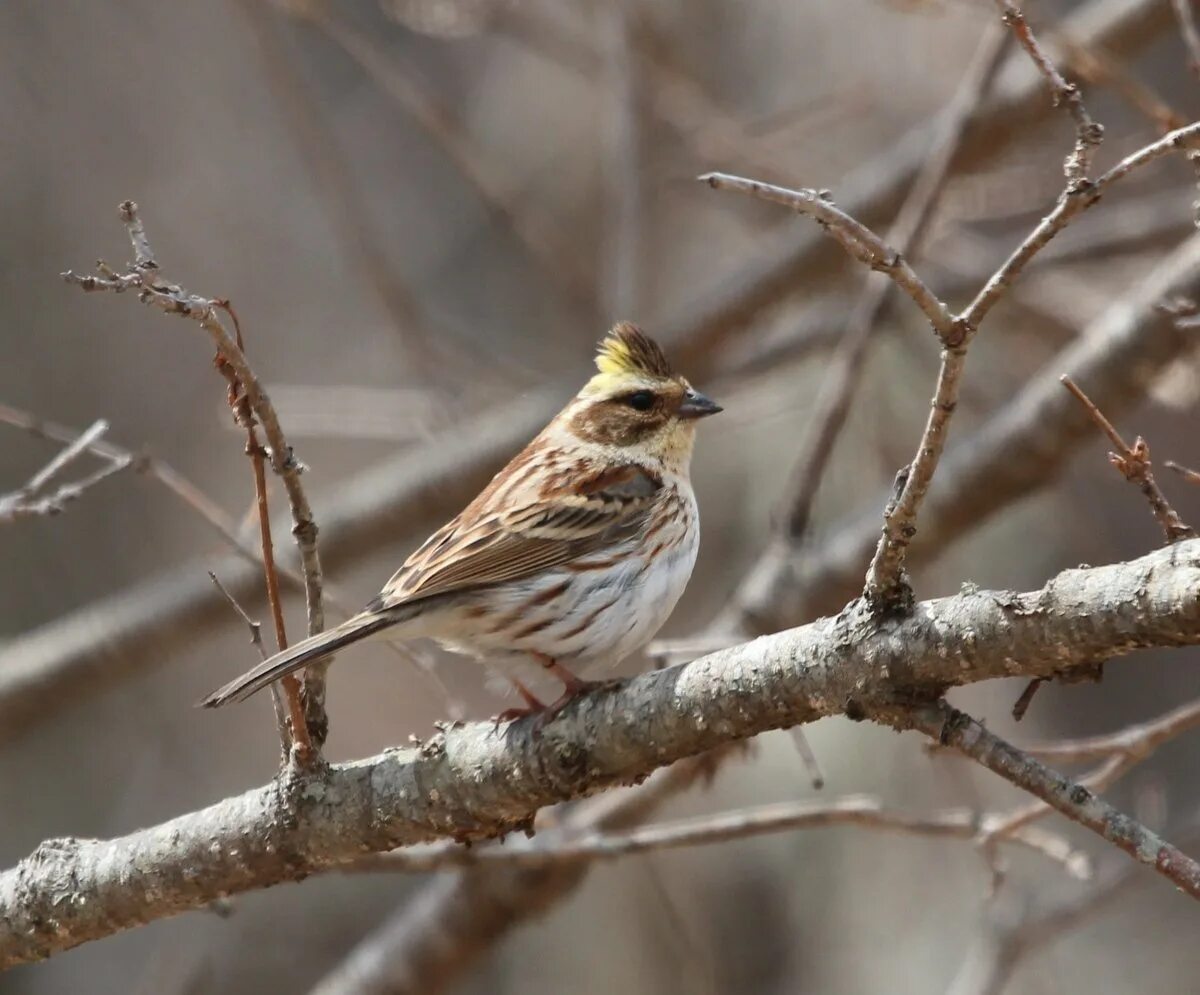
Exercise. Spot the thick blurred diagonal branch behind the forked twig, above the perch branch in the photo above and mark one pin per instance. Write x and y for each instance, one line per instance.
(1022, 449)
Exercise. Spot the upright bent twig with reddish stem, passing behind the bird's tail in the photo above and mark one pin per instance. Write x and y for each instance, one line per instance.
(143, 277)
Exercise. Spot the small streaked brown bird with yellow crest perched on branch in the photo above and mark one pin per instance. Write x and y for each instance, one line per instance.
(575, 553)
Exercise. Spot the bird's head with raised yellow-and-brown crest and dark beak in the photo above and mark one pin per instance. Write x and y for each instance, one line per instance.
(638, 404)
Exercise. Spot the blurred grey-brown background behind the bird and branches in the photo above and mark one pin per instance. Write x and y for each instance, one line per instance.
(427, 213)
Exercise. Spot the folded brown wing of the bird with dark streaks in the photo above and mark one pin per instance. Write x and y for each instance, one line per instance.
(488, 547)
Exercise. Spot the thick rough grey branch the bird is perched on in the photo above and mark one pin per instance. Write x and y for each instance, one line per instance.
(473, 783)
